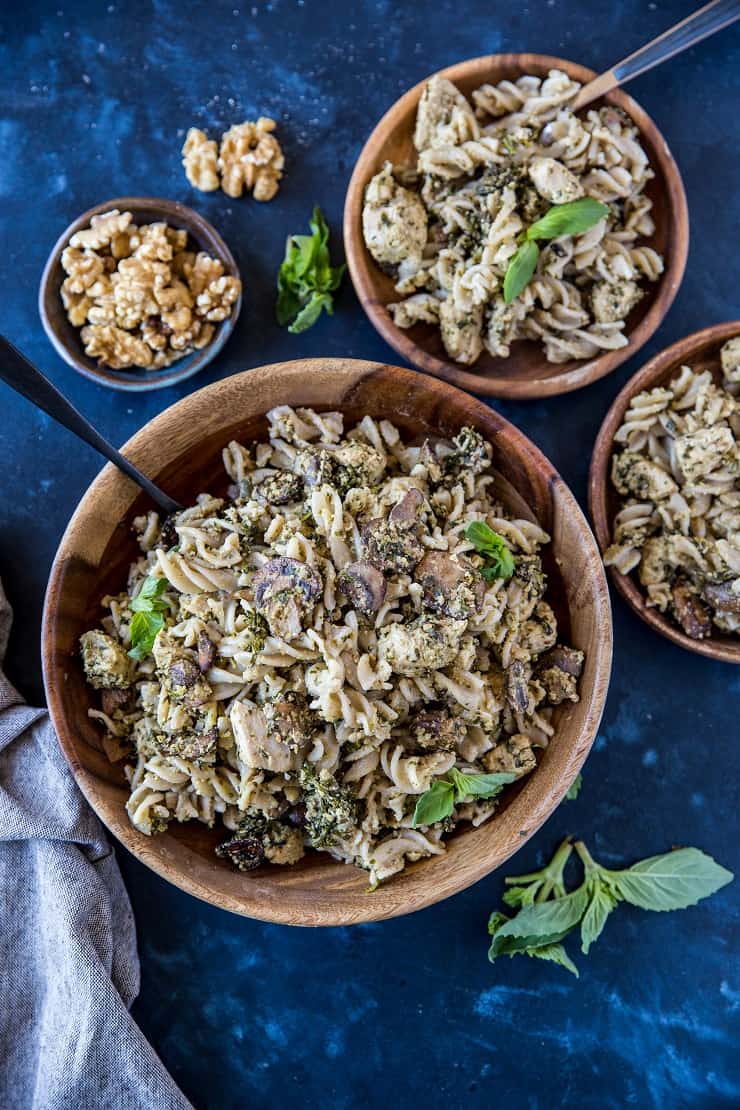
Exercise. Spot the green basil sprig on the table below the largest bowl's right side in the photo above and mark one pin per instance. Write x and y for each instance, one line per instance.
(548, 913)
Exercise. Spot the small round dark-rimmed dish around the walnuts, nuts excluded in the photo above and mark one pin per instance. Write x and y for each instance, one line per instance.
(66, 338)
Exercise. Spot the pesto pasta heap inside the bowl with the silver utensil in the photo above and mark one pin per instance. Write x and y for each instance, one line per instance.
(448, 228)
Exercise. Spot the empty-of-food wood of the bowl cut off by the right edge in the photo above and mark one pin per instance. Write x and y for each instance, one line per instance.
(700, 351)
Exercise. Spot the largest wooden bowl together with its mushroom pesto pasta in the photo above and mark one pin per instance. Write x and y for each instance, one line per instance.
(296, 669)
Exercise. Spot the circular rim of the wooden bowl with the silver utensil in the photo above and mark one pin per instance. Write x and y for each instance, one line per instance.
(362, 267)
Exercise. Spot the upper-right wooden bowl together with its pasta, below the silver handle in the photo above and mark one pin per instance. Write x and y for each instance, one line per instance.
(449, 198)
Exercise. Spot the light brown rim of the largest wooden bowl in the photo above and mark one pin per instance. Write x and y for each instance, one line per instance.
(342, 910)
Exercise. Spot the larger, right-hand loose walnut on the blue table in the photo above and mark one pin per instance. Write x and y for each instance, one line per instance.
(251, 158)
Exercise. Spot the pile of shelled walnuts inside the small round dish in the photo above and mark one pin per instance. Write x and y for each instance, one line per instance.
(149, 301)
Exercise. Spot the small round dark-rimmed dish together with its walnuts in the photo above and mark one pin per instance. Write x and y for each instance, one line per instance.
(140, 294)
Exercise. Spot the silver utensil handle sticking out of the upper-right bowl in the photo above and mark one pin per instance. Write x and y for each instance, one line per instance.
(701, 25)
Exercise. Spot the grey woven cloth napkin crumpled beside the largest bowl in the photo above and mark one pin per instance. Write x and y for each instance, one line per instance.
(69, 968)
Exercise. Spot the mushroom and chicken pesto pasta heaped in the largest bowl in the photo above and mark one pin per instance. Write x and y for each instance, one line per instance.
(302, 660)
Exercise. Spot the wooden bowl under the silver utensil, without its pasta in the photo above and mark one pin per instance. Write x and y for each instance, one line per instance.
(525, 374)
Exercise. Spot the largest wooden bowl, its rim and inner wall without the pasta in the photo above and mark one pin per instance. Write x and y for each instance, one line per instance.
(181, 449)
